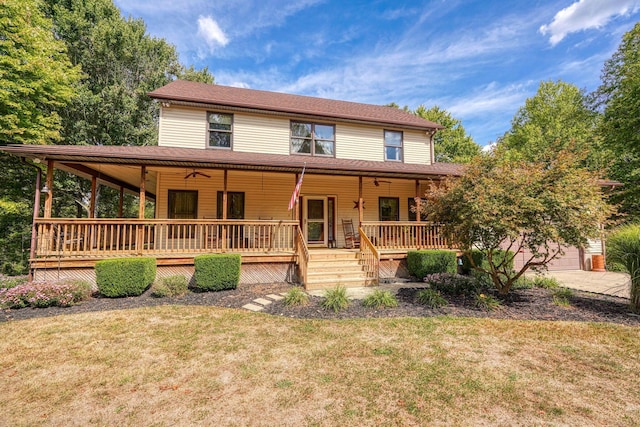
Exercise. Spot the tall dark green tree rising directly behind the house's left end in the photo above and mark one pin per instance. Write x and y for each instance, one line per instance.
(121, 64)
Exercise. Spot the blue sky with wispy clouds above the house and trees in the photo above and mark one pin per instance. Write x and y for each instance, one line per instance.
(479, 60)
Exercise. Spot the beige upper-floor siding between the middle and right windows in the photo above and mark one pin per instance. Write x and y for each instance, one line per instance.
(359, 142)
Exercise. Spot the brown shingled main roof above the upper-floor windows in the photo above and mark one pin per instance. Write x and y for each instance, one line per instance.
(217, 95)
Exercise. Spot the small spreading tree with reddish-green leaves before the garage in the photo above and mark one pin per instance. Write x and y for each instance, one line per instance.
(501, 203)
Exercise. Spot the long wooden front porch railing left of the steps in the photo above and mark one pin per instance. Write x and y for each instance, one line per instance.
(77, 238)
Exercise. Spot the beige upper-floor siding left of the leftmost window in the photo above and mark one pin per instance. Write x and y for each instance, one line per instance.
(181, 127)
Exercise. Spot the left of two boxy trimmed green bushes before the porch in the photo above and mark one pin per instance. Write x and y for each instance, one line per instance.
(125, 277)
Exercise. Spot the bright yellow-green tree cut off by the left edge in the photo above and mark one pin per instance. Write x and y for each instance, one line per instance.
(37, 76)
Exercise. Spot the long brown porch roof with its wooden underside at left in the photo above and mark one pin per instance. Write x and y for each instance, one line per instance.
(112, 158)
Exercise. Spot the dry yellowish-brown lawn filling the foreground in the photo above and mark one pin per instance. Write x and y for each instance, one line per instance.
(199, 365)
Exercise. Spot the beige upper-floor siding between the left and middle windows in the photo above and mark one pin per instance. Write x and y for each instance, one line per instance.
(260, 134)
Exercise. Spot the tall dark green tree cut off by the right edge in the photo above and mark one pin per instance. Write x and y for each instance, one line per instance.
(619, 98)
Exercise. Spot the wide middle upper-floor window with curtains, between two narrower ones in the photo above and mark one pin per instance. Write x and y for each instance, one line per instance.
(312, 138)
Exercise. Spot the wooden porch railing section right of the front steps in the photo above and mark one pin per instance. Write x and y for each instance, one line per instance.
(387, 235)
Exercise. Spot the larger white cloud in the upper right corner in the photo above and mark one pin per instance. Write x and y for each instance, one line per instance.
(586, 14)
